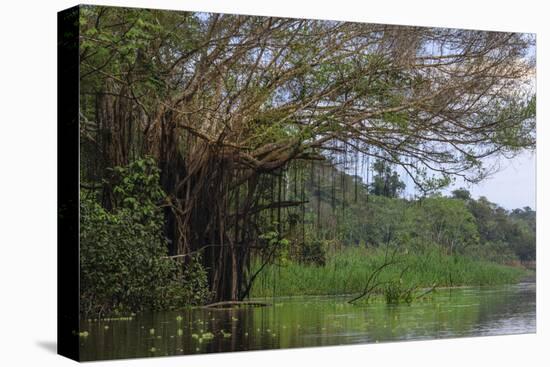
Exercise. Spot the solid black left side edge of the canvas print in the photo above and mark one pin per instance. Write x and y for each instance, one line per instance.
(68, 183)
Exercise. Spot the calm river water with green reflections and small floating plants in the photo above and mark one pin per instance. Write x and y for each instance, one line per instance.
(314, 321)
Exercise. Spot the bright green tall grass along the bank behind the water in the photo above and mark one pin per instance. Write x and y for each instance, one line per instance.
(346, 272)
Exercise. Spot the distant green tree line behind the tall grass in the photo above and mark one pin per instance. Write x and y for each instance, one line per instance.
(454, 224)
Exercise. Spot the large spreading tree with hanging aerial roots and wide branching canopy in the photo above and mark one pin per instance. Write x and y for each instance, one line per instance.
(226, 102)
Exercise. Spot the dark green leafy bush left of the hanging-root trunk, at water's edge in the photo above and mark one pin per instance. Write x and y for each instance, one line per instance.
(123, 263)
